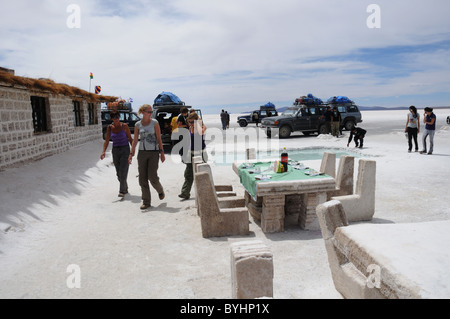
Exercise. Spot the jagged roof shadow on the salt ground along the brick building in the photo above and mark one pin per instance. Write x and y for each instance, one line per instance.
(28, 190)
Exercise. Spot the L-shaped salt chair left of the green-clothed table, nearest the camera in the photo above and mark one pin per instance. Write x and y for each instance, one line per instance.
(216, 221)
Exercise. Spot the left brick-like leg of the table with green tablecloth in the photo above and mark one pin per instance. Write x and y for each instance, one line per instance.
(272, 217)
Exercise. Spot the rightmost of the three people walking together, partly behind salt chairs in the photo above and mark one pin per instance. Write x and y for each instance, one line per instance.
(197, 147)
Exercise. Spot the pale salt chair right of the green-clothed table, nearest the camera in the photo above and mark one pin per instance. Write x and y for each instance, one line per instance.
(360, 206)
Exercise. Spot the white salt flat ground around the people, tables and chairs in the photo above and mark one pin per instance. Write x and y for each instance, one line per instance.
(63, 211)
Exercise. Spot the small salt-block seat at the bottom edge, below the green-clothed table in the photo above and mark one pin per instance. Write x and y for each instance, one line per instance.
(251, 270)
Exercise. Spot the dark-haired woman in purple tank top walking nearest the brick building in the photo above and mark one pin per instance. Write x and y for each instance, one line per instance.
(119, 133)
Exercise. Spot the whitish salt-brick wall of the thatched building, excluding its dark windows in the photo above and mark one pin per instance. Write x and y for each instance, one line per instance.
(18, 142)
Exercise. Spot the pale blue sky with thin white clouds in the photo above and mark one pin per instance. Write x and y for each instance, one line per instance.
(235, 54)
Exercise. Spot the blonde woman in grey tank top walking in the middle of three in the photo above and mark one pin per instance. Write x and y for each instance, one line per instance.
(150, 151)
